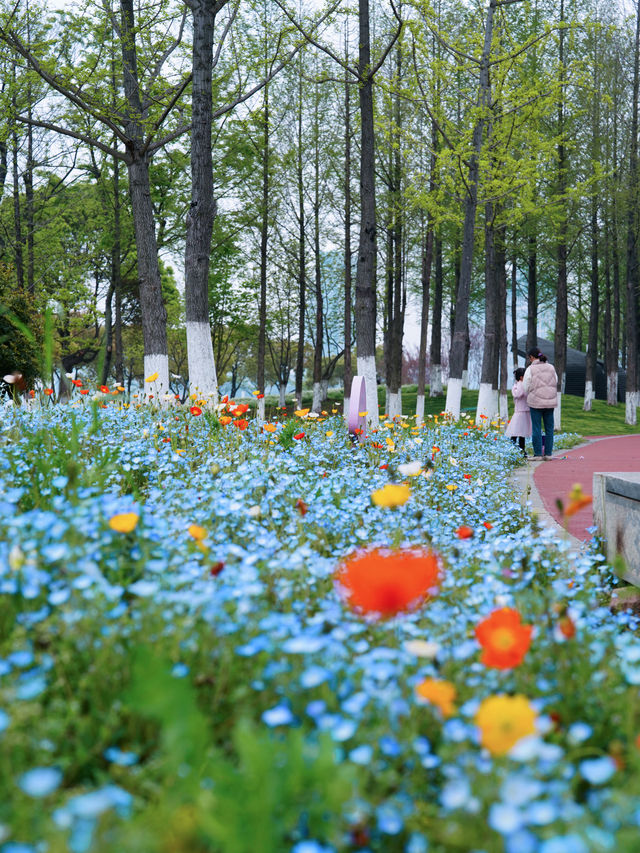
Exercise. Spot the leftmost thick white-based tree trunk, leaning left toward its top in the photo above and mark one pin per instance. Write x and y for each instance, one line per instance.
(154, 315)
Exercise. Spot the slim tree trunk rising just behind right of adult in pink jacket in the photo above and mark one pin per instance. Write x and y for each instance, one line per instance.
(560, 338)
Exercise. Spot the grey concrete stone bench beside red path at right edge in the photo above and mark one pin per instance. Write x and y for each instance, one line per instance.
(616, 513)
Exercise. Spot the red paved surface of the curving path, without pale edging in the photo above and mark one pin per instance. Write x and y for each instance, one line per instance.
(555, 478)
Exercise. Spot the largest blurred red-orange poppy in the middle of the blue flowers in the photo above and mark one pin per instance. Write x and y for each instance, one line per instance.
(384, 583)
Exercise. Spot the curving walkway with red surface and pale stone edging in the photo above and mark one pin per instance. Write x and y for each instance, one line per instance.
(544, 482)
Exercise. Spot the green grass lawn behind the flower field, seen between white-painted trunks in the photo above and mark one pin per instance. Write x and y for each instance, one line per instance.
(601, 420)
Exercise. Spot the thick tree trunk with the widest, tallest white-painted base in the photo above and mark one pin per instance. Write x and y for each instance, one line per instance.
(202, 212)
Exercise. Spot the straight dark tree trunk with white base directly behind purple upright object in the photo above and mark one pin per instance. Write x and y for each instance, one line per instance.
(365, 309)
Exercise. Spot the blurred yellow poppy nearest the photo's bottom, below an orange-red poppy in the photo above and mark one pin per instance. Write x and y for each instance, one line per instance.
(503, 721)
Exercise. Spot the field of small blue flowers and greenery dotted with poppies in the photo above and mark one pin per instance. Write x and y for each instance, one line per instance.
(181, 671)
